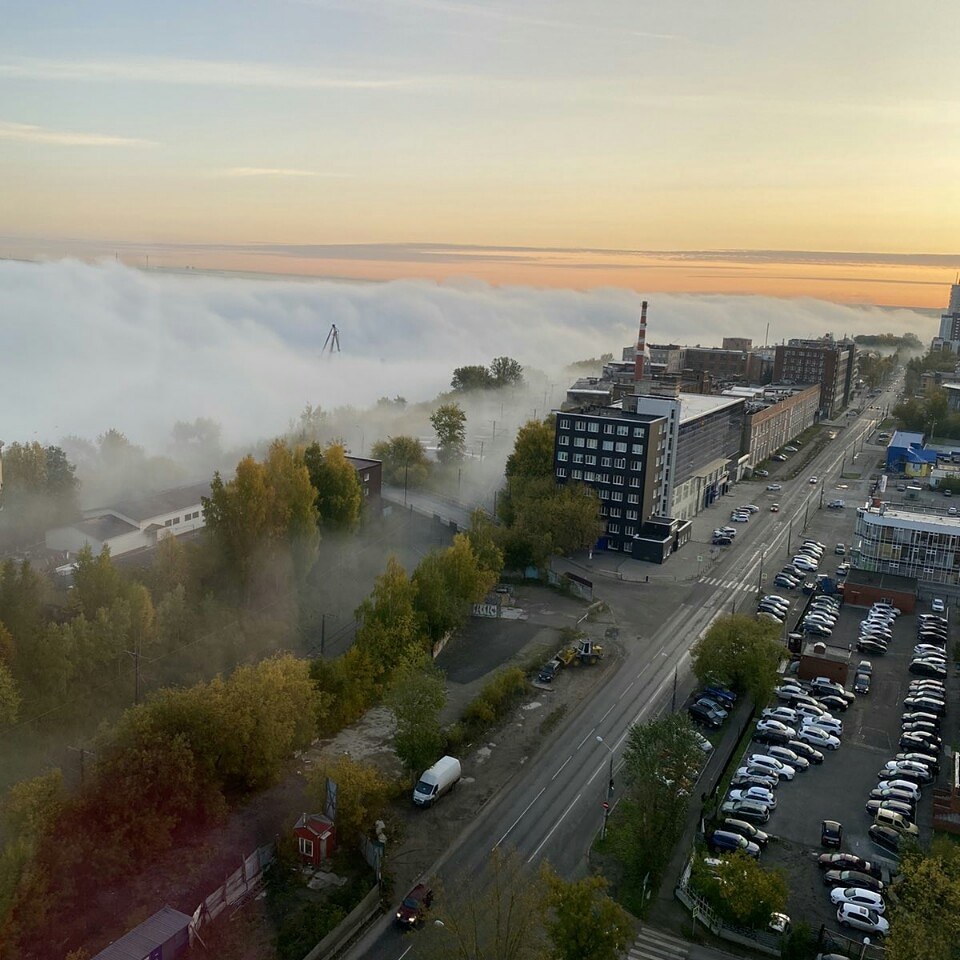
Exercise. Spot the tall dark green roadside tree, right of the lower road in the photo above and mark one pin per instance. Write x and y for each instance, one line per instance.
(660, 764)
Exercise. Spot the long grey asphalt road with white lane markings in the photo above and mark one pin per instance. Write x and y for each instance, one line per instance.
(554, 808)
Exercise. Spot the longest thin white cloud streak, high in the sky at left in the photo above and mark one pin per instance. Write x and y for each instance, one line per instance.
(211, 73)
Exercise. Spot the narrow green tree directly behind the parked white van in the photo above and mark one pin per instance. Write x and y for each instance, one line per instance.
(416, 695)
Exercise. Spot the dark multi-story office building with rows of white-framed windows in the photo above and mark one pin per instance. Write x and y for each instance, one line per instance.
(621, 455)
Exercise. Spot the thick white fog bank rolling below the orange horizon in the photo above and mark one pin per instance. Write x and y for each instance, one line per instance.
(87, 347)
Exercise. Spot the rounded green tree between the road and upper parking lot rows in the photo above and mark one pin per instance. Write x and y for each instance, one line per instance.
(741, 652)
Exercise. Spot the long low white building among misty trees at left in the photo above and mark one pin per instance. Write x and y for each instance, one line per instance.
(134, 524)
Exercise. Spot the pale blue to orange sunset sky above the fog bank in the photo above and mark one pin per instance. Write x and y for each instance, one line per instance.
(683, 146)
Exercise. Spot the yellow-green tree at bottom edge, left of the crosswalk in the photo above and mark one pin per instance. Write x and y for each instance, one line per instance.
(584, 923)
